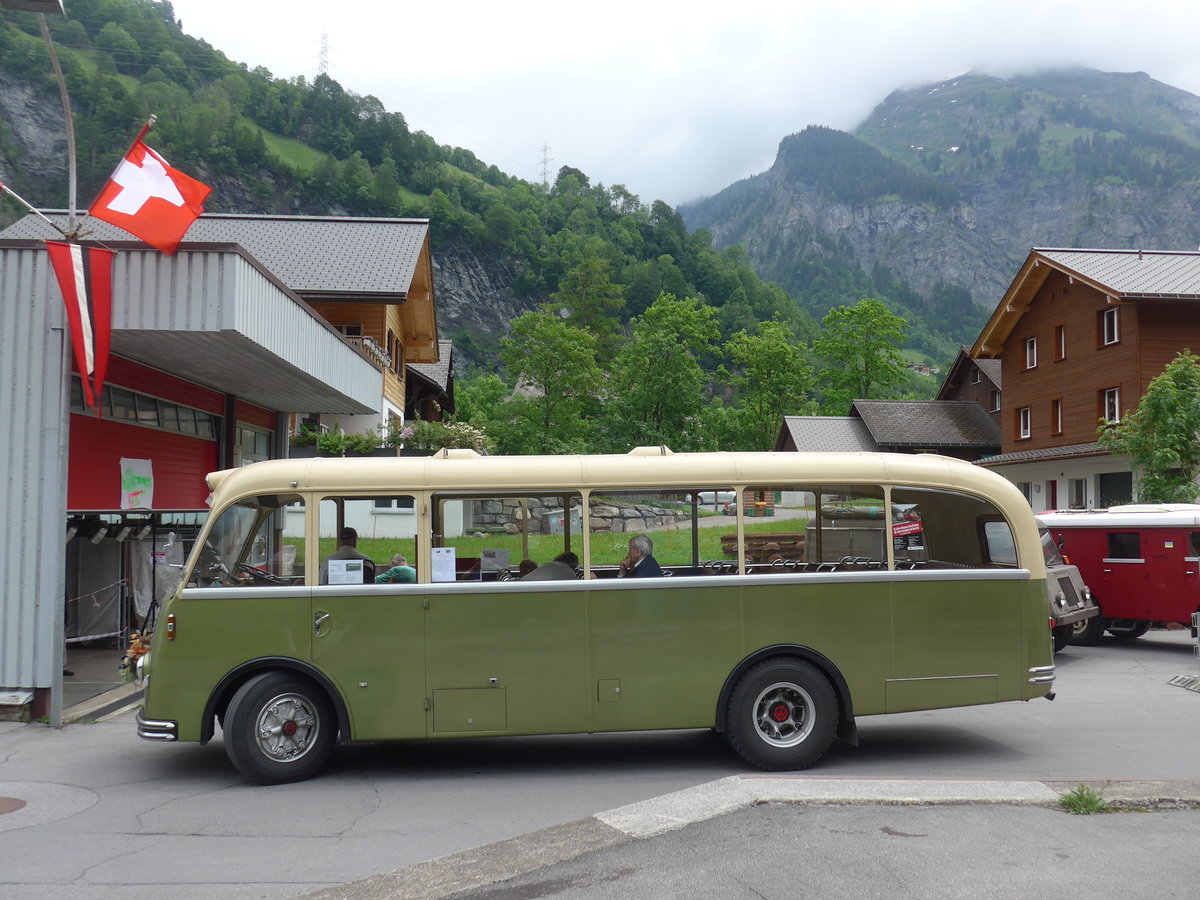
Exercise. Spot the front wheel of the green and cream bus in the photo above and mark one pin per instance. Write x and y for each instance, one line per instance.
(279, 728)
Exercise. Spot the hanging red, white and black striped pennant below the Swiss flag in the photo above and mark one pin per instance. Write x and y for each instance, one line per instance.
(86, 278)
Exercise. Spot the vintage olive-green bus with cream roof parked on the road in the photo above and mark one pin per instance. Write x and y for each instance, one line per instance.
(839, 585)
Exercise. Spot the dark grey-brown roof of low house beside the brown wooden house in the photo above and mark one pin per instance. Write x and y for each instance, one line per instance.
(925, 423)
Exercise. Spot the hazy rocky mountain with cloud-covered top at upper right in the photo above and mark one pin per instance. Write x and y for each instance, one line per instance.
(938, 197)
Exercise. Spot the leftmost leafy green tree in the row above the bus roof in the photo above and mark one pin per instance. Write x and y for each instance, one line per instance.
(556, 367)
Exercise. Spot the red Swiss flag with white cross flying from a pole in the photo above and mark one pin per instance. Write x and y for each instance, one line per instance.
(151, 200)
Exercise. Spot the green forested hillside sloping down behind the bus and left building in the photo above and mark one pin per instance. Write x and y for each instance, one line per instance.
(669, 339)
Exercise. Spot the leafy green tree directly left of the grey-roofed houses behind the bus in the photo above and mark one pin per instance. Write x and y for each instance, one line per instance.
(771, 379)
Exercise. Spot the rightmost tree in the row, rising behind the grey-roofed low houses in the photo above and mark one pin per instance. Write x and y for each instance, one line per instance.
(861, 347)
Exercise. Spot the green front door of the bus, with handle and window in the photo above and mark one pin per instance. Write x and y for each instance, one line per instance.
(369, 638)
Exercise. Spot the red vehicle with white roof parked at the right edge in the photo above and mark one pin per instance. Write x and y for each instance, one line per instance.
(1142, 563)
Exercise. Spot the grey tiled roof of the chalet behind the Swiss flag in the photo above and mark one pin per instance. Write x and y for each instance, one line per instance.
(311, 255)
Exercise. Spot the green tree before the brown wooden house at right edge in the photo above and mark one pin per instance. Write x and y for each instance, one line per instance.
(1163, 434)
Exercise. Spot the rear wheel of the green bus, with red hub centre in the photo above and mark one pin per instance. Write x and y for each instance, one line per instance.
(783, 715)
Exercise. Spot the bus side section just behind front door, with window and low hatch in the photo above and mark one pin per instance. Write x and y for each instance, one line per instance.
(505, 655)
